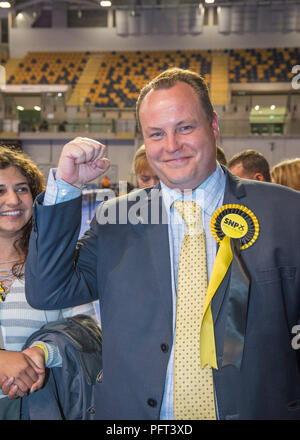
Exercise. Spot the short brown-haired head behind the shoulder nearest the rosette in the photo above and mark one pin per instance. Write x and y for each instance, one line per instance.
(250, 164)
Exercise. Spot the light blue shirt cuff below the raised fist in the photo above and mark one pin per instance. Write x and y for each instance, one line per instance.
(58, 191)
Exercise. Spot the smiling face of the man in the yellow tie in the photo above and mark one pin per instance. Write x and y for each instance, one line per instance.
(179, 139)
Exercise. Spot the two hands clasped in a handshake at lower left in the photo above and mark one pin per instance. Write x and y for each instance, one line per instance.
(18, 373)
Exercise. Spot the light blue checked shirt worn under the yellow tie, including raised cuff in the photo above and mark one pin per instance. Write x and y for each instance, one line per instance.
(209, 195)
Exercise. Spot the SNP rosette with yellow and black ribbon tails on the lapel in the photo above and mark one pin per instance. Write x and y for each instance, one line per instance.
(235, 227)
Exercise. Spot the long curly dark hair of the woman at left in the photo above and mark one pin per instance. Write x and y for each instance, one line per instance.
(13, 158)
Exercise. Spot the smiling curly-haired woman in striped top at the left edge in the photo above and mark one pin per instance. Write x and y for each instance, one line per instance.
(20, 182)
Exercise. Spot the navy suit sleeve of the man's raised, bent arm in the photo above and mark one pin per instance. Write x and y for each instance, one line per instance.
(59, 272)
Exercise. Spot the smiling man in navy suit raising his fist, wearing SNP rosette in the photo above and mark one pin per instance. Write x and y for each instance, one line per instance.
(129, 261)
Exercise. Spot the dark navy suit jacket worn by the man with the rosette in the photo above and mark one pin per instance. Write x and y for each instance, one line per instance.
(127, 266)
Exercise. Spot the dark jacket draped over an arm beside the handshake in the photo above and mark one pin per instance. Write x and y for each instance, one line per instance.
(68, 392)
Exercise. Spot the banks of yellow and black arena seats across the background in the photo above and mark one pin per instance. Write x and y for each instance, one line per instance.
(121, 75)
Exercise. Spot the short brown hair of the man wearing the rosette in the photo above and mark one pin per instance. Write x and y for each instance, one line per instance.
(168, 79)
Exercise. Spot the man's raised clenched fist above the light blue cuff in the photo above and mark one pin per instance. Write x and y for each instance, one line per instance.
(81, 161)
